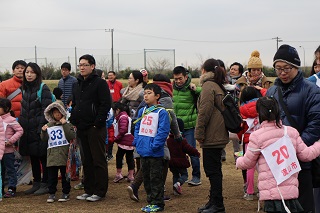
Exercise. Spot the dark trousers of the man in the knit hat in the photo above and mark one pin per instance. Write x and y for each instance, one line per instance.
(306, 190)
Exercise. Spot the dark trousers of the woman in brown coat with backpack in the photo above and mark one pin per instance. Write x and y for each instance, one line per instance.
(212, 168)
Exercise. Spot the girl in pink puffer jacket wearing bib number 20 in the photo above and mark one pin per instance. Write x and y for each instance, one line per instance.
(276, 148)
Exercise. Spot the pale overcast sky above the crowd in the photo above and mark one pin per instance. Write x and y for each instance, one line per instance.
(196, 30)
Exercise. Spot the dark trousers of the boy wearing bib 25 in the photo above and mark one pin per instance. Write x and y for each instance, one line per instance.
(152, 169)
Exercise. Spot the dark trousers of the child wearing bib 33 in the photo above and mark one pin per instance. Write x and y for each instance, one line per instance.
(53, 179)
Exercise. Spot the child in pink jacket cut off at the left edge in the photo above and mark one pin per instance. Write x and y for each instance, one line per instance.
(10, 132)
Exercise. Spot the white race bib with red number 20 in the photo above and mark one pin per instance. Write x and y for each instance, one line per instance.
(282, 159)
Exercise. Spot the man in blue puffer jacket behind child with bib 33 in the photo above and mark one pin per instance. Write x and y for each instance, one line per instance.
(66, 82)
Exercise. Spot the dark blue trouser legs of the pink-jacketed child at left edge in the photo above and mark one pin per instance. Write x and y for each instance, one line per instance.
(8, 160)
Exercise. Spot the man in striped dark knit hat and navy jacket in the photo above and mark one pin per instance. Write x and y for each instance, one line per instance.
(299, 101)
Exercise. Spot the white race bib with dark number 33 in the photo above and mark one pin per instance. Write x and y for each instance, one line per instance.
(56, 137)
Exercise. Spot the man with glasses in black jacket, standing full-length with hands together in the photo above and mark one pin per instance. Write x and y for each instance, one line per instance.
(90, 106)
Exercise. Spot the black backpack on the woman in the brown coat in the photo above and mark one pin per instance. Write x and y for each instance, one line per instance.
(231, 114)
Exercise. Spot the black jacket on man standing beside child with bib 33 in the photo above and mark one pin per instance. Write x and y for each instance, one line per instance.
(91, 102)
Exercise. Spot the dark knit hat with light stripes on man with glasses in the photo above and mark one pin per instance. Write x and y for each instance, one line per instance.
(287, 54)
